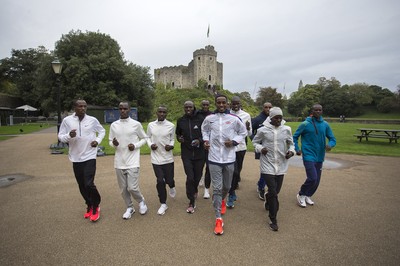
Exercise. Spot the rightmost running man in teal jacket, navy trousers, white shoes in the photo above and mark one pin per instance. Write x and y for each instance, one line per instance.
(313, 131)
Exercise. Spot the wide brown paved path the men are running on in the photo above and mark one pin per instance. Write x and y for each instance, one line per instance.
(356, 219)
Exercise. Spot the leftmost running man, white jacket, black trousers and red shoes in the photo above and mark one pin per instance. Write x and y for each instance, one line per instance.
(83, 133)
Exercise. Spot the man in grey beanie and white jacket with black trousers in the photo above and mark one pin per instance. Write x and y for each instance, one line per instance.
(275, 143)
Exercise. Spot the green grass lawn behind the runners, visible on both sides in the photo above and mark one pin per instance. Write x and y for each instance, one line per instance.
(346, 142)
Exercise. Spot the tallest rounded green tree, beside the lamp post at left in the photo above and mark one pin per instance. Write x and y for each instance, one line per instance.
(92, 67)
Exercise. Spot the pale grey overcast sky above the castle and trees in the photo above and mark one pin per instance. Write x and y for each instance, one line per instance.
(261, 43)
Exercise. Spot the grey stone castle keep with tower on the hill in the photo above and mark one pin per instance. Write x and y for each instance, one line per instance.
(204, 66)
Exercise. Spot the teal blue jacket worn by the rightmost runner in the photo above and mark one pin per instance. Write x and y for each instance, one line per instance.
(314, 133)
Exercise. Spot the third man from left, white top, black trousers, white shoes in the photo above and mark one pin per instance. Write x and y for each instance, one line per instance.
(161, 140)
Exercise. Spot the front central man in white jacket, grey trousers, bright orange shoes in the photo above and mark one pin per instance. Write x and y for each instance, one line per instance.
(222, 132)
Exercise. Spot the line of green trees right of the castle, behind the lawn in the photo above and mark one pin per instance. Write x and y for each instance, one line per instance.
(337, 99)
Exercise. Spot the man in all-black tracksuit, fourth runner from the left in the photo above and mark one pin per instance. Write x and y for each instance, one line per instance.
(188, 133)
